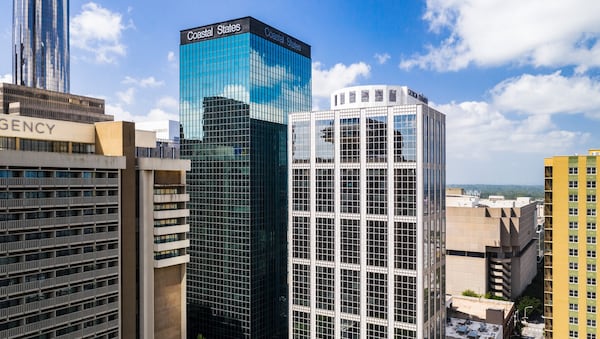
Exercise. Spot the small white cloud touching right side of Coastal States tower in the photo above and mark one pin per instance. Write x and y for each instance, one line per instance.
(325, 81)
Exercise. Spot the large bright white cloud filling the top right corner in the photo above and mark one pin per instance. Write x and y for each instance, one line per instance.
(495, 32)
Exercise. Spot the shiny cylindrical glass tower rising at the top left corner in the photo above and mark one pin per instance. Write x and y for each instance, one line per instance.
(41, 44)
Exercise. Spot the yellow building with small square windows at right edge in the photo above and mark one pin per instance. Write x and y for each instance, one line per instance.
(570, 261)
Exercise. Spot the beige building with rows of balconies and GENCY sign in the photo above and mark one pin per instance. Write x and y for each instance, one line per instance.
(74, 200)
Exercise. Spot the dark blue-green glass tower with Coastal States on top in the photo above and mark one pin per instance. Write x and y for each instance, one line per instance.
(239, 81)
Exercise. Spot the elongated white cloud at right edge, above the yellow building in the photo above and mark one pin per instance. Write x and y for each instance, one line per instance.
(548, 94)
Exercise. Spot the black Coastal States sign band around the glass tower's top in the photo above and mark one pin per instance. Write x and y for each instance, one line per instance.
(244, 25)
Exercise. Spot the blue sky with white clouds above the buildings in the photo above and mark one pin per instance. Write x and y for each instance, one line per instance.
(518, 80)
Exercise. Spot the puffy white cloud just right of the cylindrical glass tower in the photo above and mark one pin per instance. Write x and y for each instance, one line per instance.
(98, 30)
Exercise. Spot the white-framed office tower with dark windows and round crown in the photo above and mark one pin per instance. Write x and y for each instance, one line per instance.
(367, 217)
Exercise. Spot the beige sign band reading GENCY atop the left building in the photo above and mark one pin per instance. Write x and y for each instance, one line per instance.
(45, 129)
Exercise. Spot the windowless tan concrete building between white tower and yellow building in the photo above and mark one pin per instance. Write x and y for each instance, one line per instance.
(491, 245)
